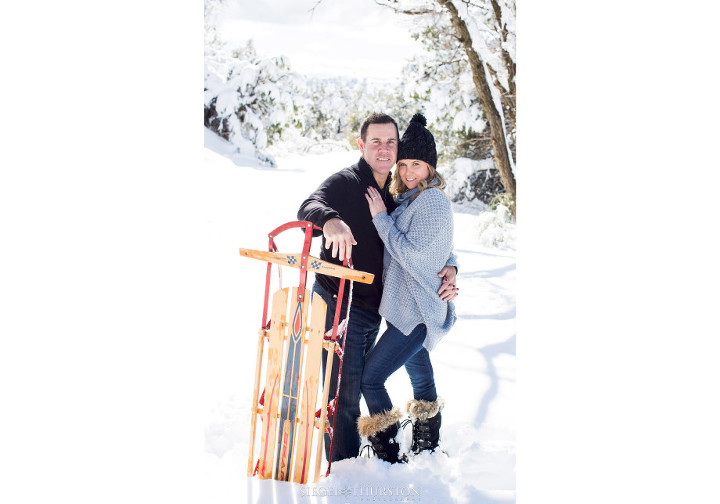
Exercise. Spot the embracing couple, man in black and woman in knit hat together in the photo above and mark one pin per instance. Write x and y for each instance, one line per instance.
(400, 228)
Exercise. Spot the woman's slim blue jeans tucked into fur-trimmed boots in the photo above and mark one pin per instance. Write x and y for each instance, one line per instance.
(392, 350)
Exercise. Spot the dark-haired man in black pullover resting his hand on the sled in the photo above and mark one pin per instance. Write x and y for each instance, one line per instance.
(339, 207)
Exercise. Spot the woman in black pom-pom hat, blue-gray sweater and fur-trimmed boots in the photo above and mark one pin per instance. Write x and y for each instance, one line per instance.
(418, 240)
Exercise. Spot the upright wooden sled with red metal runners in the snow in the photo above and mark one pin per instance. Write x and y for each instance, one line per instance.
(295, 334)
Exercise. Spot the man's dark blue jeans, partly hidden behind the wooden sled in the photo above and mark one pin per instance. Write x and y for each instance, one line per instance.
(362, 330)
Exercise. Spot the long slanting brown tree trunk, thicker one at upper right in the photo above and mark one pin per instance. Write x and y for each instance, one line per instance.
(497, 134)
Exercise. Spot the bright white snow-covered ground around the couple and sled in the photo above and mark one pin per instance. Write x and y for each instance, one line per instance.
(474, 365)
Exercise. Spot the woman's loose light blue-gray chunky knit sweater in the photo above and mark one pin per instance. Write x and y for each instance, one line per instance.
(418, 238)
